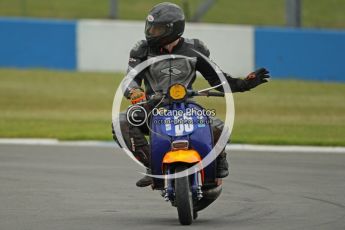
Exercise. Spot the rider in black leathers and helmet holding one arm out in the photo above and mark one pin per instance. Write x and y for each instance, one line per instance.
(163, 30)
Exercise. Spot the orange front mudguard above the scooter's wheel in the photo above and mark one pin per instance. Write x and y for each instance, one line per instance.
(188, 156)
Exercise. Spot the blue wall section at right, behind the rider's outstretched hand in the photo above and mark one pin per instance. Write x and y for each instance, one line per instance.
(302, 53)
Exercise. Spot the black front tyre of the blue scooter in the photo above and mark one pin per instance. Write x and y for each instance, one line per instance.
(183, 195)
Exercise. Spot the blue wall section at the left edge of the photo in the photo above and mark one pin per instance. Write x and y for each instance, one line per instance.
(38, 43)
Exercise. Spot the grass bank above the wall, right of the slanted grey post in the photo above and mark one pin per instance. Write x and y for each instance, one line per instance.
(315, 13)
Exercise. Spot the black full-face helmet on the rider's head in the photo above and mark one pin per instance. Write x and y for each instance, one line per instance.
(164, 24)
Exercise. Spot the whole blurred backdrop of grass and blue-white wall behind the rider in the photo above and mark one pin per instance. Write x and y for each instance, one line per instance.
(61, 62)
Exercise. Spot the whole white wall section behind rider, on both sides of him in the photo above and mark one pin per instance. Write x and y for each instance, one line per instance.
(105, 45)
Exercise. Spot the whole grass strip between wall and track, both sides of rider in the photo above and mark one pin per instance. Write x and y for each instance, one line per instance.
(74, 106)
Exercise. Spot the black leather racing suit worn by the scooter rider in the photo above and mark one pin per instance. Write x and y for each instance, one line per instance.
(159, 76)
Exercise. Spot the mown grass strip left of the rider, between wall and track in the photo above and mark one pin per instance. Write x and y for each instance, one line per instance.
(60, 105)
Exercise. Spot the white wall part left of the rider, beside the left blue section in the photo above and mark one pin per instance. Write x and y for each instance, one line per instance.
(105, 45)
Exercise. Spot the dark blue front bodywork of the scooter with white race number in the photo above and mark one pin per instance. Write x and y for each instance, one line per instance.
(196, 129)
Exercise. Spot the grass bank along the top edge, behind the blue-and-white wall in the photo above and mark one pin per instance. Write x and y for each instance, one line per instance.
(315, 13)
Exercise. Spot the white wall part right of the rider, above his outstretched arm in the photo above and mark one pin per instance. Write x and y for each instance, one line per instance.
(232, 47)
